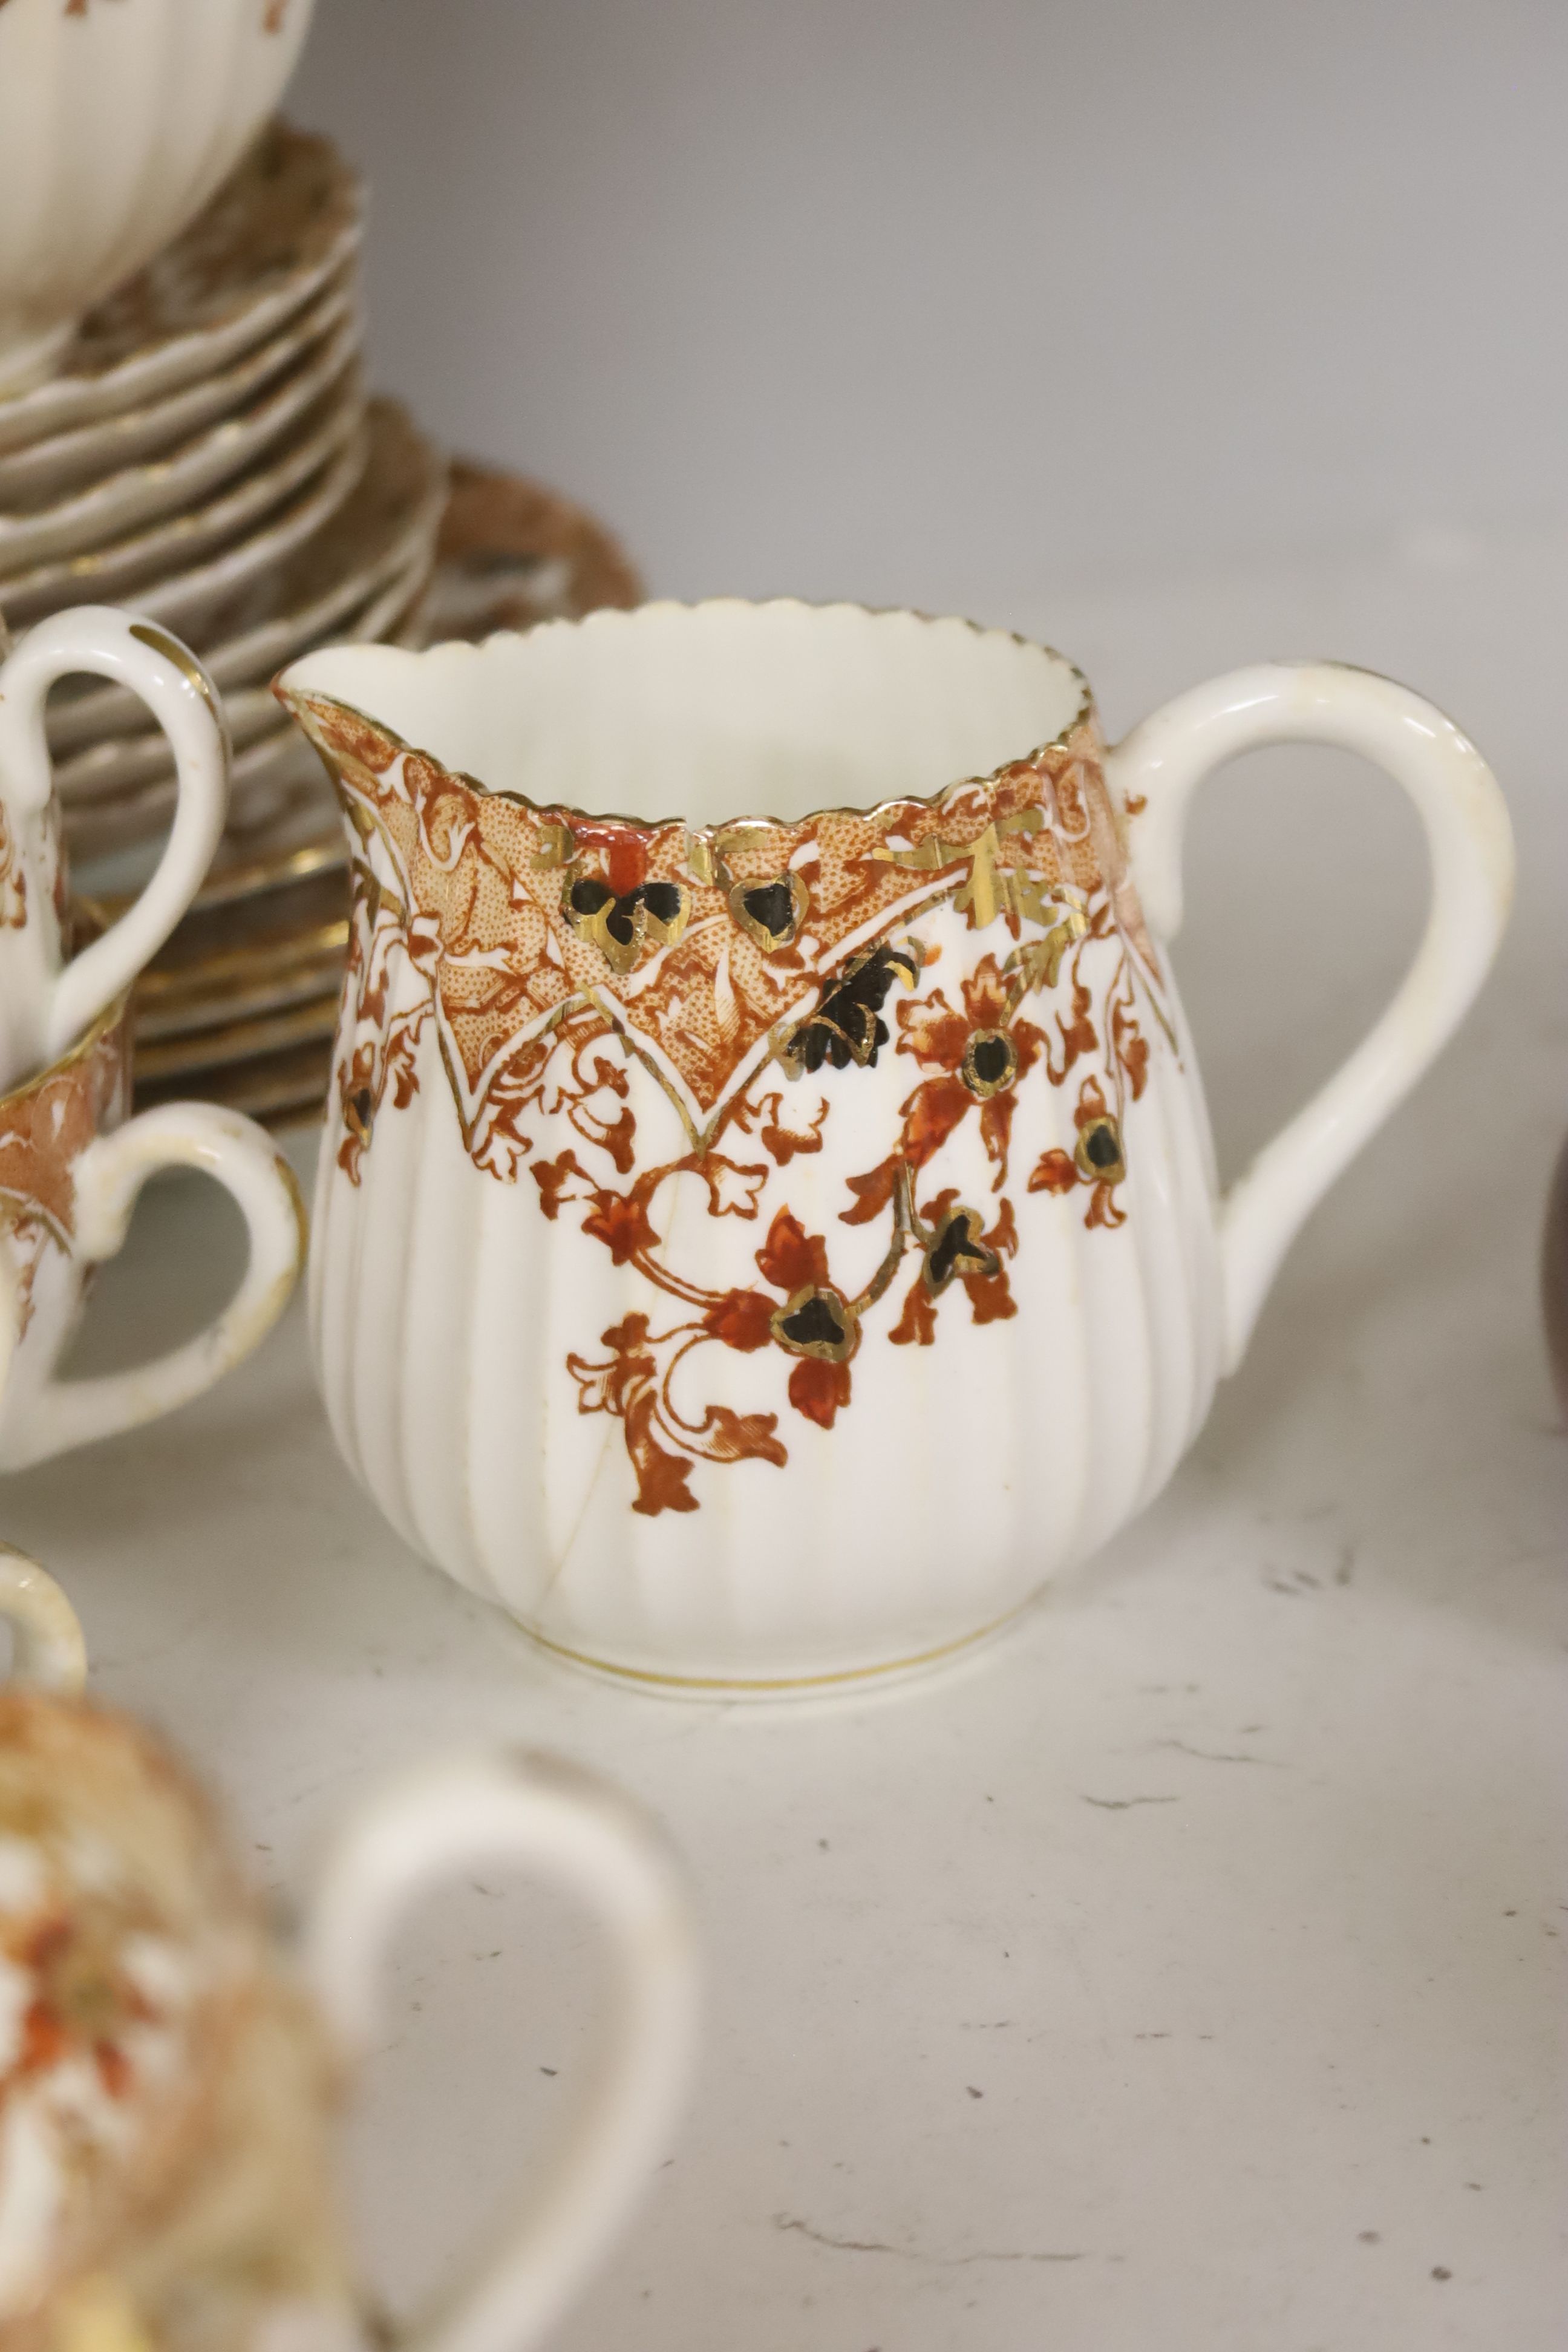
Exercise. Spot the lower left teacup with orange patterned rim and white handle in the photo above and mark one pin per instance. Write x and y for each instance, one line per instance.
(72, 1168)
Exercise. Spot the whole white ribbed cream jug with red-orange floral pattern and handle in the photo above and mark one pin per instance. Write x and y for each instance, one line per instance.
(768, 1222)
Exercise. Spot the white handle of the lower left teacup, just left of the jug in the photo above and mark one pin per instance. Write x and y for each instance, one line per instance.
(109, 1175)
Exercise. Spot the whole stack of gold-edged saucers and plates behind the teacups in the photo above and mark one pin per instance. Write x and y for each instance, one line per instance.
(208, 457)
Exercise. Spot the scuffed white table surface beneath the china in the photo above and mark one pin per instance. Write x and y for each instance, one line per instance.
(1181, 1972)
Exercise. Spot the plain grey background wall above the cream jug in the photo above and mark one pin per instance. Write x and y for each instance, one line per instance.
(970, 305)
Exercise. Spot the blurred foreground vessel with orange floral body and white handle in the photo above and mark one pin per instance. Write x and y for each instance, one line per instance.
(166, 2156)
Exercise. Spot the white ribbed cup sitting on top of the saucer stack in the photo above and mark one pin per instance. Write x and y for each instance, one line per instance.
(119, 119)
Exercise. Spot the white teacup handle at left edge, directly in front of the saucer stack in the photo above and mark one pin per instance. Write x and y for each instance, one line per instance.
(48, 1003)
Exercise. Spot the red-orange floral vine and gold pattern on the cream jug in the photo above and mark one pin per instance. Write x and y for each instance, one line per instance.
(587, 933)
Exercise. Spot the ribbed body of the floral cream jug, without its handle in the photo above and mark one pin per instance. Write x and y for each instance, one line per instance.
(460, 1330)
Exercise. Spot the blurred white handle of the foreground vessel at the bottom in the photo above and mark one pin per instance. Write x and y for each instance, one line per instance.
(441, 1824)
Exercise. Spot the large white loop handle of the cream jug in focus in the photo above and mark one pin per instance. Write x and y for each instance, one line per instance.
(1473, 876)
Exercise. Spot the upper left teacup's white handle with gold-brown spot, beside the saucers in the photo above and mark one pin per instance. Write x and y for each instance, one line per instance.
(180, 695)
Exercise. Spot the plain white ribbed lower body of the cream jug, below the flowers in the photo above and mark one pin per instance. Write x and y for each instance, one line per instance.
(956, 1483)
